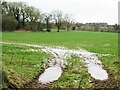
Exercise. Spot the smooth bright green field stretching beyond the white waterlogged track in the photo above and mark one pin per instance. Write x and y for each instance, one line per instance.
(98, 42)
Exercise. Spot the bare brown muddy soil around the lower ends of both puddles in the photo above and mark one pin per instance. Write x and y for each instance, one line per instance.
(110, 84)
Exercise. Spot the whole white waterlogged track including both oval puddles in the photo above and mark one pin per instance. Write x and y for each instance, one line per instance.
(54, 71)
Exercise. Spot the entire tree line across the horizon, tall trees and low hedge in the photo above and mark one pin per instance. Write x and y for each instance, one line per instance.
(20, 16)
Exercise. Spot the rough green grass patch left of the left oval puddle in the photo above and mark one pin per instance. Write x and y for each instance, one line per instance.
(21, 66)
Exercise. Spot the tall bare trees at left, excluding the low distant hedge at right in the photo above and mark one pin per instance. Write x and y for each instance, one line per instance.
(18, 15)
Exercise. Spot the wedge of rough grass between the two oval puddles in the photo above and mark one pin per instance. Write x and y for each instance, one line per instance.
(75, 75)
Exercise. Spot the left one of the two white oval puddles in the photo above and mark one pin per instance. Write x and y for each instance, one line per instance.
(50, 74)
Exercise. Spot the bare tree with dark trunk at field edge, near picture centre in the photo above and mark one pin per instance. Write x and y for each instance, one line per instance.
(58, 18)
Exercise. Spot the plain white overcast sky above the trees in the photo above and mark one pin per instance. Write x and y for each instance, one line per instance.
(83, 11)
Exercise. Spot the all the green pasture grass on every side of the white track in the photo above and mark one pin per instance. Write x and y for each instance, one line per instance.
(97, 42)
